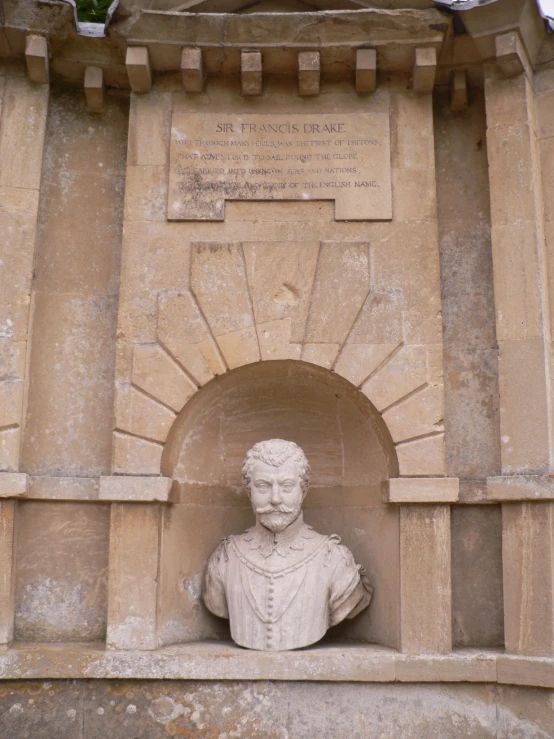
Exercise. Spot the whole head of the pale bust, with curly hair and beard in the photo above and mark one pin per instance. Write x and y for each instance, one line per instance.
(276, 474)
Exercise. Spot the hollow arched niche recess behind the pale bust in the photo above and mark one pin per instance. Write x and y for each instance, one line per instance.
(351, 454)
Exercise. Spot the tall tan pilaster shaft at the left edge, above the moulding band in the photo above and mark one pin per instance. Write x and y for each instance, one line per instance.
(24, 107)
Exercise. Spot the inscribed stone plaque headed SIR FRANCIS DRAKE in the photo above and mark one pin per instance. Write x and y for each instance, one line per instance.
(340, 157)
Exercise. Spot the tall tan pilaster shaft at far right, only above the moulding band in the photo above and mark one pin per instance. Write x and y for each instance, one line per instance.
(520, 280)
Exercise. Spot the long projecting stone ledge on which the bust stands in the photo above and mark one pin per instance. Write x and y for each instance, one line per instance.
(226, 661)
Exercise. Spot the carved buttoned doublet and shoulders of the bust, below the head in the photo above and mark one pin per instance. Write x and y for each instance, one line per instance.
(283, 591)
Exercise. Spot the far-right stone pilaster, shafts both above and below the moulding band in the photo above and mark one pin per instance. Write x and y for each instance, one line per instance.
(524, 339)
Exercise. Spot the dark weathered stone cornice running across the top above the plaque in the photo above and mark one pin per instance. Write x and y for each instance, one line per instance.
(336, 35)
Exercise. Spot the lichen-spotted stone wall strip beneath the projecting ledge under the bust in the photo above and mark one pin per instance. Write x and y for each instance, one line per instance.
(271, 710)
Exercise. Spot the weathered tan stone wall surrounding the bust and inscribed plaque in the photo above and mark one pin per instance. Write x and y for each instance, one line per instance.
(140, 357)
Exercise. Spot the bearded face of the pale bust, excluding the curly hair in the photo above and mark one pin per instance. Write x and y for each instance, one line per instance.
(275, 494)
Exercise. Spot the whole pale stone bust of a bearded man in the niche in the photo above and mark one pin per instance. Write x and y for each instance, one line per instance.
(280, 583)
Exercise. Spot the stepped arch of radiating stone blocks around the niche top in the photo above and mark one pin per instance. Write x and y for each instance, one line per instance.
(254, 302)
